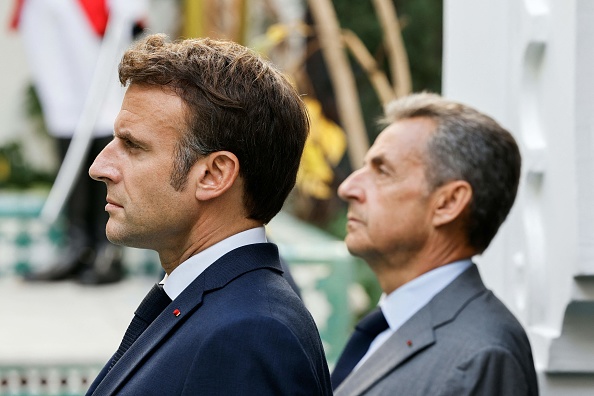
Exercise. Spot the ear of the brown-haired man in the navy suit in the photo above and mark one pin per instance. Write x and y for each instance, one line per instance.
(217, 174)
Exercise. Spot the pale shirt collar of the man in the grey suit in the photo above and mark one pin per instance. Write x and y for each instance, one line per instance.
(408, 299)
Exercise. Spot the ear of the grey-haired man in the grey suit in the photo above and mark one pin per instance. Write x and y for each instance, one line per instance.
(451, 200)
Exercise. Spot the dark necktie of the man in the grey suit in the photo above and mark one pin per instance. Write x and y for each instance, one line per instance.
(365, 332)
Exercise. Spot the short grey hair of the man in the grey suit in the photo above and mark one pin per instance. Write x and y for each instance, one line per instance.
(471, 146)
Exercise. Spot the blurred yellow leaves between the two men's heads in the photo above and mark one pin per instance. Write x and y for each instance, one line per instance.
(323, 150)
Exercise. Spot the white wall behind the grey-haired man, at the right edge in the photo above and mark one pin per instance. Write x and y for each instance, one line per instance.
(530, 65)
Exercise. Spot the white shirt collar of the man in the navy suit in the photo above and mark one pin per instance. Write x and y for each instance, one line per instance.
(186, 272)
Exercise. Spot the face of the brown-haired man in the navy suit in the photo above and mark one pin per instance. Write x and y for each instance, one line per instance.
(145, 211)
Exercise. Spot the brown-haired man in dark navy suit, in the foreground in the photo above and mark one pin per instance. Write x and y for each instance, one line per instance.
(206, 149)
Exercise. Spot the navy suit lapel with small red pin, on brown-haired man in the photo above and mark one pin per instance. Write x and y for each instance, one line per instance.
(216, 276)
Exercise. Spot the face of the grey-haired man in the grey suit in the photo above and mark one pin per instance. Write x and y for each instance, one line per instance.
(389, 200)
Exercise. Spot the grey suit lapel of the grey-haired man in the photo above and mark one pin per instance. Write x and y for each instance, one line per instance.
(416, 335)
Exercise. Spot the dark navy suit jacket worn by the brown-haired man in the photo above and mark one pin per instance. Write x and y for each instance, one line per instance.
(241, 330)
